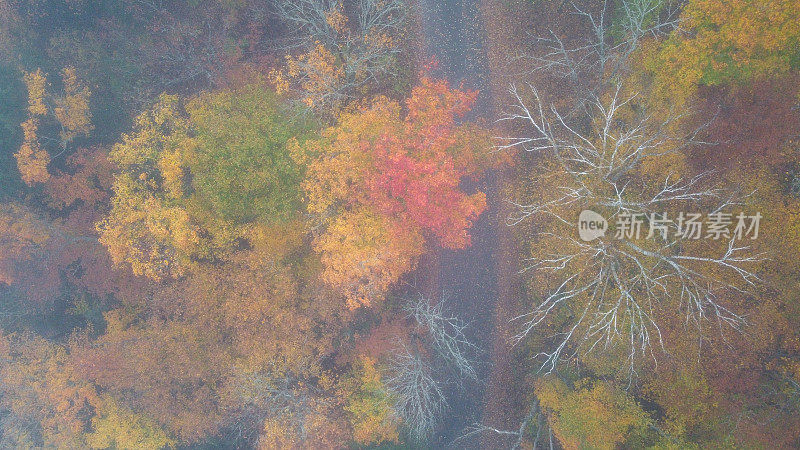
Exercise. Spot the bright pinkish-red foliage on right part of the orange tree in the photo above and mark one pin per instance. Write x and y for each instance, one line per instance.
(417, 175)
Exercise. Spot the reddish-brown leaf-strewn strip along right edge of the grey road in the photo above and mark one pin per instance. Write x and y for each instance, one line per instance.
(511, 25)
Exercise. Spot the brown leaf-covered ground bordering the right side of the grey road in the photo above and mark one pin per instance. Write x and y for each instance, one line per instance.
(507, 27)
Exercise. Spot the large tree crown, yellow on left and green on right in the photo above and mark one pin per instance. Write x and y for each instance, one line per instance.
(193, 181)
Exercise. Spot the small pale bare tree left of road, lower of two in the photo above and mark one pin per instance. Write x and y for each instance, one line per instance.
(420, 400)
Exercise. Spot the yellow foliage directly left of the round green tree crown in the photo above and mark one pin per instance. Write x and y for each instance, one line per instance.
(149, 226)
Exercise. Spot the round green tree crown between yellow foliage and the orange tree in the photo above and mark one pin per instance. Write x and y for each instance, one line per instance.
(241, 166)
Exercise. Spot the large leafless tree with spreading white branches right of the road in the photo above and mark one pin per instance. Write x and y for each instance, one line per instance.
(617, 288)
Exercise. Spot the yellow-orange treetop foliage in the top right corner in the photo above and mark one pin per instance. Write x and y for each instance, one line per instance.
(724, 41)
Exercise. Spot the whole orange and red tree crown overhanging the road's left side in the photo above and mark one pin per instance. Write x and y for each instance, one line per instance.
(379, 183)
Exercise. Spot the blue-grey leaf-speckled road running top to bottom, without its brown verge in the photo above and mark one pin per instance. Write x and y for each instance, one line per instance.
(453, 34)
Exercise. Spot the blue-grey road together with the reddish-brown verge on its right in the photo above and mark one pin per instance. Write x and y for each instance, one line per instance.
(475, 44)
